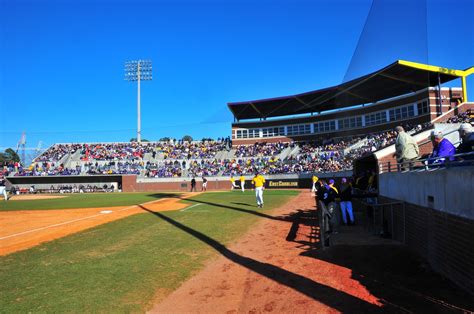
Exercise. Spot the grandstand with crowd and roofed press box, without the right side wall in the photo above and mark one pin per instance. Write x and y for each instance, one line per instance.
(322, 132)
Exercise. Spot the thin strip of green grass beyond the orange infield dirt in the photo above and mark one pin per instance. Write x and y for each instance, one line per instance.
(84, 201)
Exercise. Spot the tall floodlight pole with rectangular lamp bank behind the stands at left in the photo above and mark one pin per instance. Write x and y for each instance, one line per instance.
(138, 70)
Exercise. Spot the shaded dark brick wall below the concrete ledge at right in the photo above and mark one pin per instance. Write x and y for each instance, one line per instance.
(444, 240)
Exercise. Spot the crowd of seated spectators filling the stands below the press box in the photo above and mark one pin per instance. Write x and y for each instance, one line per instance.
(171, 158)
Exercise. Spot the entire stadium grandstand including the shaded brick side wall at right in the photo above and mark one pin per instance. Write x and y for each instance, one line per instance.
(342, 131)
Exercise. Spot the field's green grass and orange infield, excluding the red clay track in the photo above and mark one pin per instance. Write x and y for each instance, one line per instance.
(119, 252)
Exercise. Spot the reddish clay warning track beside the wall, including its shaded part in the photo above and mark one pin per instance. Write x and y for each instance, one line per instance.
(279, 266)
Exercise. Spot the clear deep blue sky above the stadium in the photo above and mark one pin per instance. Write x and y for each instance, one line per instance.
(61, 62)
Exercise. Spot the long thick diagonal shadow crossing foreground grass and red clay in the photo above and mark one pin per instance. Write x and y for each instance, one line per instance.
(333, 298)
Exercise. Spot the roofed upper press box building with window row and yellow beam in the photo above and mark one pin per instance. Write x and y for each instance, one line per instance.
(402, 92)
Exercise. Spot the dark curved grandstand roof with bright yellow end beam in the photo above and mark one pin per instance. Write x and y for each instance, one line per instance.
(399, 78)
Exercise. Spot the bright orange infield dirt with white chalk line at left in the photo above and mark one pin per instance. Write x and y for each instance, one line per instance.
(24, 229)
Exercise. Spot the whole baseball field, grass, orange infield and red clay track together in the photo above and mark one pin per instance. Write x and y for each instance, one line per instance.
(213, 252)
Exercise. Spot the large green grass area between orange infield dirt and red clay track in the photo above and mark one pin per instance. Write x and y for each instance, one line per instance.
(127, 265)
